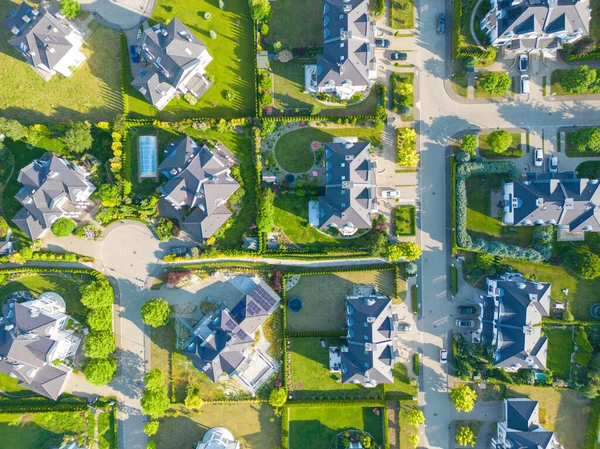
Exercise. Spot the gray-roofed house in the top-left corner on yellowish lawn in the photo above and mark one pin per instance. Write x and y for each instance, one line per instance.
(39, 36)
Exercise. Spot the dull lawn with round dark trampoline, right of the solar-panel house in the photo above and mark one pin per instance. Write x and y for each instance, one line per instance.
(324, 296)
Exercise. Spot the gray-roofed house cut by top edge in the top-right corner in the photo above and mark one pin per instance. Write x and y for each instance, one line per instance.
(543, 26)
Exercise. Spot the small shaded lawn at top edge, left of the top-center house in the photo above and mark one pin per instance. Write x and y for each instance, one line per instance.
(286, 28)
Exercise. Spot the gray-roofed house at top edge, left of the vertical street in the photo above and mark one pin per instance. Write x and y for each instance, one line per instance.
(348, 64)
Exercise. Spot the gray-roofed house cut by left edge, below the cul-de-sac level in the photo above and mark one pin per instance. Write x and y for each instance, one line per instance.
(34, 340)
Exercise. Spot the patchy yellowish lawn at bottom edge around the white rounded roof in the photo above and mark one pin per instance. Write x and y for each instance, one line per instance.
(254, 425)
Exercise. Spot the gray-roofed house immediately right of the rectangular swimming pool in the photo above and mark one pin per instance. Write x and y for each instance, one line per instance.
(199, 179)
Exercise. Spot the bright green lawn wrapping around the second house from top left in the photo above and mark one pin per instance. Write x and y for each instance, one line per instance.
(232, 64)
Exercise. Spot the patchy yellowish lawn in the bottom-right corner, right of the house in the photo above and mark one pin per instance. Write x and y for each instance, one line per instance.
(560, 407)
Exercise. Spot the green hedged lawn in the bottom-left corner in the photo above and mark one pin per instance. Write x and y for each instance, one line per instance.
(40, 430)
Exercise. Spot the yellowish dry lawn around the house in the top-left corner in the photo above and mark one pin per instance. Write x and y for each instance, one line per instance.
(91, 93)
